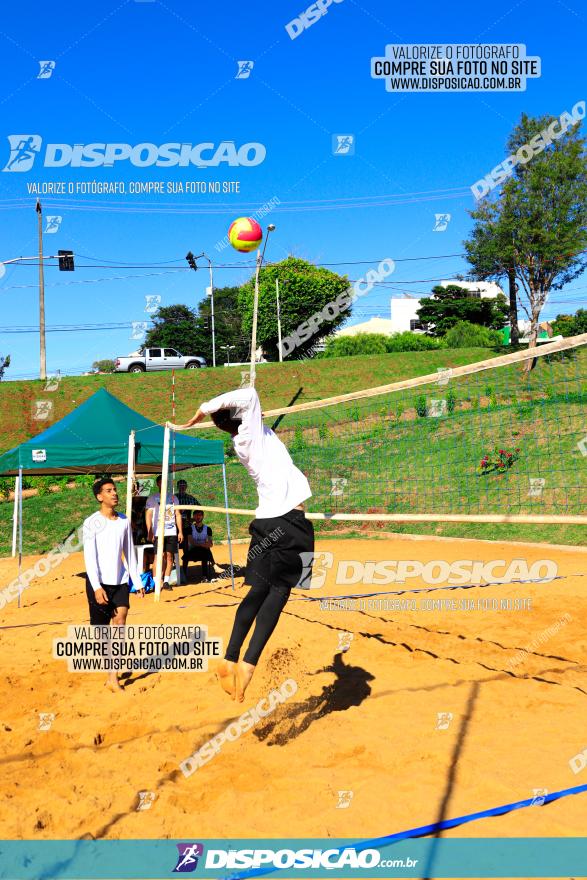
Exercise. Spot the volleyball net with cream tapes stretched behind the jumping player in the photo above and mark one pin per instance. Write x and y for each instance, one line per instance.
(489, 442)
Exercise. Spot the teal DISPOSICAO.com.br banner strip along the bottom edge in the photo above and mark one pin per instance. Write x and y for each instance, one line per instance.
(296, 858)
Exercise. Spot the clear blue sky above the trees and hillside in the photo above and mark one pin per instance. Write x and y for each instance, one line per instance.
(158, 72)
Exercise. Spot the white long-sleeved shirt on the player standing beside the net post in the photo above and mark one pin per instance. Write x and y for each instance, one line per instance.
(105, 540)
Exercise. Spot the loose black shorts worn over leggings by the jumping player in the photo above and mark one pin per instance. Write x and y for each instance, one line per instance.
(281, 551)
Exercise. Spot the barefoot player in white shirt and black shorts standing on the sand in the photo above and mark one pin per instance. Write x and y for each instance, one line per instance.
(107, 537)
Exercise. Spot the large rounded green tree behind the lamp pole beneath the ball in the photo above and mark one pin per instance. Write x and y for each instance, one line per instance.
(304, 290)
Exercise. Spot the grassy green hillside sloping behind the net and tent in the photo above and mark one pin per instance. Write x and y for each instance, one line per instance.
(393, 453)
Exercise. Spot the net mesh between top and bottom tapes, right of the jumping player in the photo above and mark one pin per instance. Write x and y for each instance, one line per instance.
(491, 442)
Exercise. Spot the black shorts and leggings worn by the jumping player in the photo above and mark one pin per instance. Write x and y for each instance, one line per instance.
(277, 559)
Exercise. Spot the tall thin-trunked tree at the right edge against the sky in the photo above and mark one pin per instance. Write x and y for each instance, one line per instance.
(542, 210)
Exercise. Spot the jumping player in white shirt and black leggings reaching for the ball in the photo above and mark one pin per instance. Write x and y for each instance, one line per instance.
(279, 533)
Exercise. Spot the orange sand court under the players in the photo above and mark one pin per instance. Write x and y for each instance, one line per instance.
(400, 717)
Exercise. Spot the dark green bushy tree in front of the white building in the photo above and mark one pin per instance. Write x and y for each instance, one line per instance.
(452, 304)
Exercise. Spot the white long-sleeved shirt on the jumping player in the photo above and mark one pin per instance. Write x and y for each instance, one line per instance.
(281, 486)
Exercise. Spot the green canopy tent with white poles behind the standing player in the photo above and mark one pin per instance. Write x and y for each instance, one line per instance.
(104, 435)
